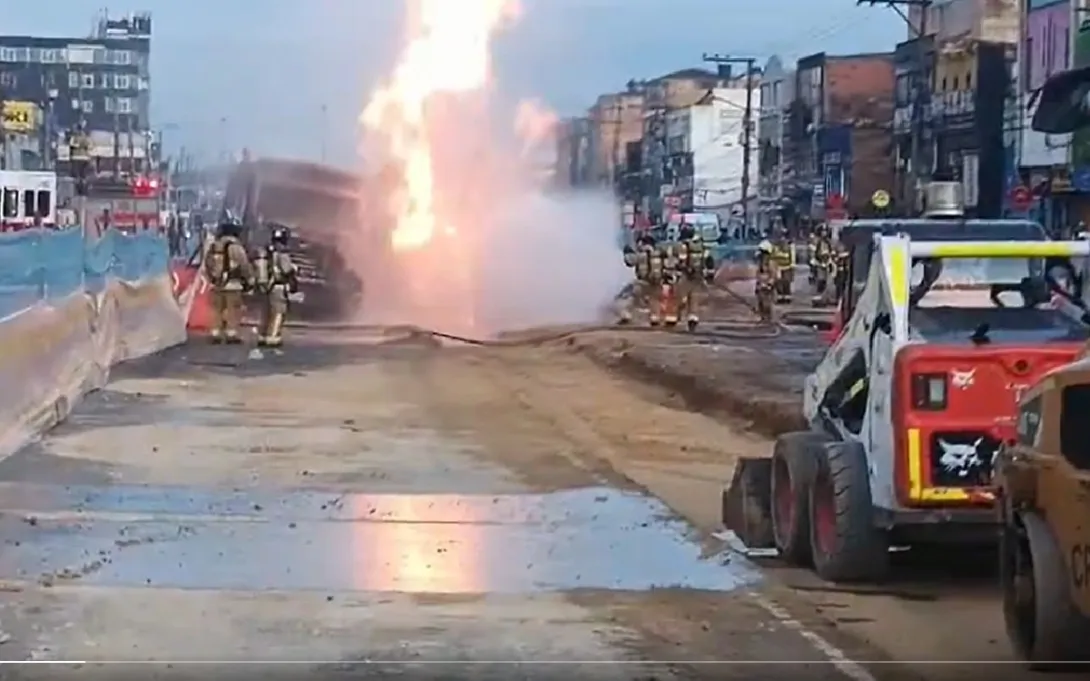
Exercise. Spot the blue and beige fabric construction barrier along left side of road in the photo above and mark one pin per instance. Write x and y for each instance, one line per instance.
(71, 308)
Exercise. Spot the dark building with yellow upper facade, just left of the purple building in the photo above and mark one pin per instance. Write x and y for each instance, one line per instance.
(967, 129)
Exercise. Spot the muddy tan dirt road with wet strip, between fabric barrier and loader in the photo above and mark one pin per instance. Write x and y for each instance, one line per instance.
(427, 509)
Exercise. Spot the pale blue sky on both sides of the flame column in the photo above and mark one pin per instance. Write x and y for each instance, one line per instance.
(288, 78)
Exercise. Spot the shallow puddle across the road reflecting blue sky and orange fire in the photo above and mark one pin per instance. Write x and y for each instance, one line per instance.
(189, 539)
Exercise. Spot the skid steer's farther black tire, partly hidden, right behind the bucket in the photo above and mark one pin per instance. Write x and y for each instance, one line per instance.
(794, 461)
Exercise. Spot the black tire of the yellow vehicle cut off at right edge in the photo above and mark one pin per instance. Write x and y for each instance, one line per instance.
(1048, 633)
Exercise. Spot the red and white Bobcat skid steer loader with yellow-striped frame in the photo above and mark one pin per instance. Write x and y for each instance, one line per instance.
(947, 325)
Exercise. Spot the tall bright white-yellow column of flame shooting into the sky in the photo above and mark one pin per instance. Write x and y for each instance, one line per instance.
(447, 53)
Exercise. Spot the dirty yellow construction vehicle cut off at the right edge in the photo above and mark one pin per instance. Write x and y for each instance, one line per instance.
(1044, 492)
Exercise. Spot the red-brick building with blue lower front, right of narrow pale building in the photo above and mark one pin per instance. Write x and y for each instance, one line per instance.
(839, 135)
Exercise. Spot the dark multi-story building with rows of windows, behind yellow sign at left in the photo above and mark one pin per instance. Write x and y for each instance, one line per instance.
(101, 83)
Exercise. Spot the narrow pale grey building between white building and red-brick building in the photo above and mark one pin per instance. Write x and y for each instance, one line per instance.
(777, 93)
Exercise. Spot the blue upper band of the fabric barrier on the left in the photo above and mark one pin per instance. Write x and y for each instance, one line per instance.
(45, 266)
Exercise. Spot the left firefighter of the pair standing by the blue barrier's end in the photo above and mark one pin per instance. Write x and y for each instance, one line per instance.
(231, 274)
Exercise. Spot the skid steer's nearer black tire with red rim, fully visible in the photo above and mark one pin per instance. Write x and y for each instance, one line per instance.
(844, 542)
